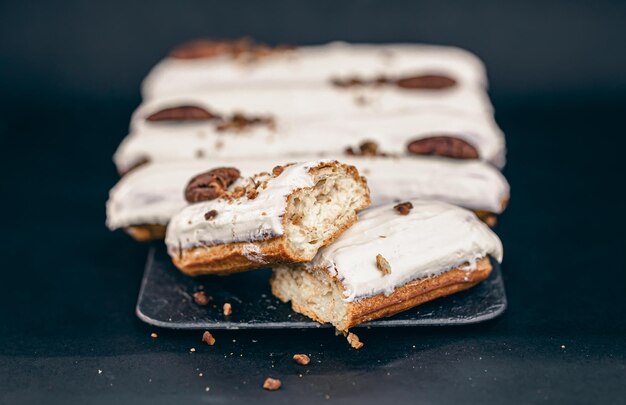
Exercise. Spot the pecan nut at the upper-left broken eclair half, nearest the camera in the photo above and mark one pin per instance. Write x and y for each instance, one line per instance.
(210, 185)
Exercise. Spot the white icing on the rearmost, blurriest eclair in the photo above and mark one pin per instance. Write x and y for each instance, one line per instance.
(315, 65)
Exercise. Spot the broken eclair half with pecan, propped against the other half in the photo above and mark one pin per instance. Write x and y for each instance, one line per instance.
(235, 224)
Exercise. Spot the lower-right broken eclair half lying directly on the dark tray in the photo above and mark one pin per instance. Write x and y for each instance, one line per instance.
(394, 258)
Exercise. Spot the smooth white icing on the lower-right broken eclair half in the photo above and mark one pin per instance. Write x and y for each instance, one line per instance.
(433, 238)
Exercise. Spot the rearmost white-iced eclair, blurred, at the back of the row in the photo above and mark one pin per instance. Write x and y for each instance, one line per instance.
(211, 64)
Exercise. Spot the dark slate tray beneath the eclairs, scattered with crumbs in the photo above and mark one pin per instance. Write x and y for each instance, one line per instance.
(165, 300)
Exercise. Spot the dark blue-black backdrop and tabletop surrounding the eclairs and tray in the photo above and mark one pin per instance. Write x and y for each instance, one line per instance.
(69, 79)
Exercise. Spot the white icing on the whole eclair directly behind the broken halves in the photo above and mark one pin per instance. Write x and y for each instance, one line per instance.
(153, 193)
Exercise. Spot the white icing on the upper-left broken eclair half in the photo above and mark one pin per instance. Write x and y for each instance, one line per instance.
(240, 220)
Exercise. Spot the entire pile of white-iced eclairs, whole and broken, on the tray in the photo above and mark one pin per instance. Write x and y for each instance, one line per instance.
(366, 176)
